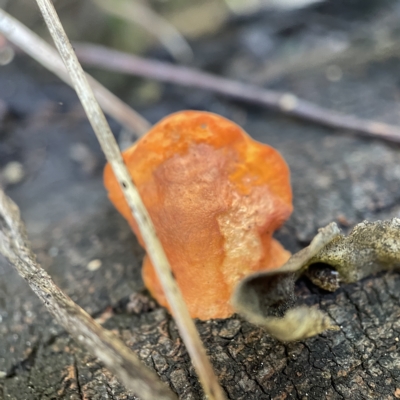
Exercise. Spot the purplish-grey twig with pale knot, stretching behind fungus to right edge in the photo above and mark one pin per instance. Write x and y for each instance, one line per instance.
(284, 102)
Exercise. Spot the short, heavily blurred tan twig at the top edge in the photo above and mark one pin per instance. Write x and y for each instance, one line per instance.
(166, 33)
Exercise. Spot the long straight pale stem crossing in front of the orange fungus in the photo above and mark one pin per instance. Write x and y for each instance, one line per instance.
(154, 248)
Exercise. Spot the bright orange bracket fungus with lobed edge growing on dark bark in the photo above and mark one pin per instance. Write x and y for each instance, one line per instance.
(215, 197)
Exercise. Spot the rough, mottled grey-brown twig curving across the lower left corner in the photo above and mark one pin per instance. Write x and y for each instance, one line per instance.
(100, 342)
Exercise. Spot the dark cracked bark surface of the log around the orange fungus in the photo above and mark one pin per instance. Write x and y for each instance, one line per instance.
(335, 177)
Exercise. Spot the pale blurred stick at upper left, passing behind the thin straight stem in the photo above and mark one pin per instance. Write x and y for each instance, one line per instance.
(46, 55)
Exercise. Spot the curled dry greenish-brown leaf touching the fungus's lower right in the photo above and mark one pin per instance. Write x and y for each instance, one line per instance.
(267, 298)
